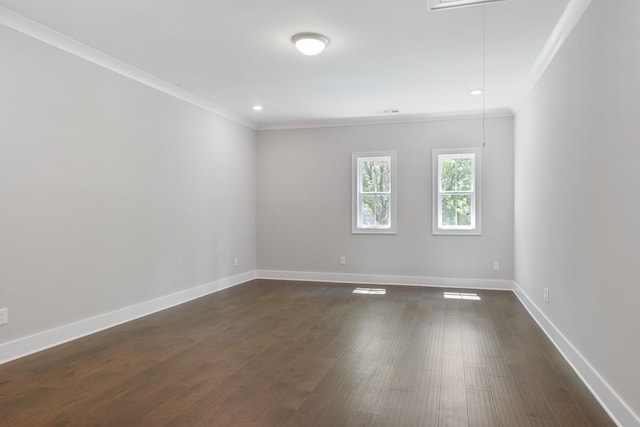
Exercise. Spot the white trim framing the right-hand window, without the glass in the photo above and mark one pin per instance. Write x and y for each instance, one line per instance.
(476, 201)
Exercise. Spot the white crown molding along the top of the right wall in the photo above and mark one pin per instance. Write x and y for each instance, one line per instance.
(567, 22)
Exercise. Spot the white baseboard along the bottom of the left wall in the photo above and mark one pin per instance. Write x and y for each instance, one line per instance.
(50, 338)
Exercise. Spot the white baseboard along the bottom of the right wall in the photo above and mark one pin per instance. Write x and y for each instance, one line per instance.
(618, 410)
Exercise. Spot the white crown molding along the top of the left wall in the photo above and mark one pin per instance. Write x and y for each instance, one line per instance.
(45, 34)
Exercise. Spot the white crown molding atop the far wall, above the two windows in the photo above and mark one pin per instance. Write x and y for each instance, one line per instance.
(387, 119)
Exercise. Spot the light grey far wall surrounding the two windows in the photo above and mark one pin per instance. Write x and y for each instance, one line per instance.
(304, 201)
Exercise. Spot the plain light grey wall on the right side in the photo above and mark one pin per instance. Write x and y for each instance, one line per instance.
(577, 207)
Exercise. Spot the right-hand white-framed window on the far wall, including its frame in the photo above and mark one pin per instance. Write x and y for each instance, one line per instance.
(456, 191)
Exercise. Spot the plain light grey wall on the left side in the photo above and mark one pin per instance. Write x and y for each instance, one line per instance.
(111, 193)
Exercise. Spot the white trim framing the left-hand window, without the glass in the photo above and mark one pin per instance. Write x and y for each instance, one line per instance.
(355, 185)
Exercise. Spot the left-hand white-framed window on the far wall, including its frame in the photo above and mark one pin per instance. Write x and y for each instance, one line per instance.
(374, 198)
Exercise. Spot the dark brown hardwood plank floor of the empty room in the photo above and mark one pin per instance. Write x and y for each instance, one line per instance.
(274, 353)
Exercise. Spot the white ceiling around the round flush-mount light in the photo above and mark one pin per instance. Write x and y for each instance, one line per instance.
(383, 54)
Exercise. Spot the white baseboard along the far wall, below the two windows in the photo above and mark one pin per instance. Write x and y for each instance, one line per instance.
(378, 279)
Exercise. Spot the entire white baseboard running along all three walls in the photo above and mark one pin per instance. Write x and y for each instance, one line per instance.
(615, 406)
